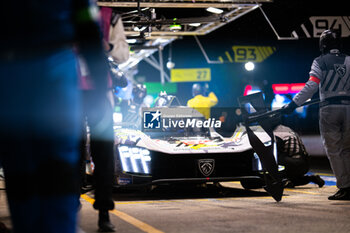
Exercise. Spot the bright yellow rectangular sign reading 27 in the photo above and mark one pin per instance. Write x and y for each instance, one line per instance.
(190, 75)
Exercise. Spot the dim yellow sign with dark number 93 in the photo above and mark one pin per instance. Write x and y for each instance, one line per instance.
(252, 53)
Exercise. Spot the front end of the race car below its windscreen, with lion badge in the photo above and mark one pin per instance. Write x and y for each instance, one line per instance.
(209, 157)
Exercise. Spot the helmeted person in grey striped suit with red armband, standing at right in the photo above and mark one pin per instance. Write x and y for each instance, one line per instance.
(330, 75)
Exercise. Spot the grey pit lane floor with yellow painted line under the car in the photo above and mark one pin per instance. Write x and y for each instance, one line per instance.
(229, 208)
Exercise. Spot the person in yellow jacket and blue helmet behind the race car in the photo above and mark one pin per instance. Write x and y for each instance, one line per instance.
(202, 101)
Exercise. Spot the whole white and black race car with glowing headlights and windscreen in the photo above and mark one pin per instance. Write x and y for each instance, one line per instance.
(177, 144)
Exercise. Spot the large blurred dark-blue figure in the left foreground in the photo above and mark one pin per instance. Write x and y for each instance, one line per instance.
(40, 108)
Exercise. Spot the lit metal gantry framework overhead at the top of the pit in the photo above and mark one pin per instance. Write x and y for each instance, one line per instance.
(152, 24)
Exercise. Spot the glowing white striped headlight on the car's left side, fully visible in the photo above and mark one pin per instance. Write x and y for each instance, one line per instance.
(135, 159)
